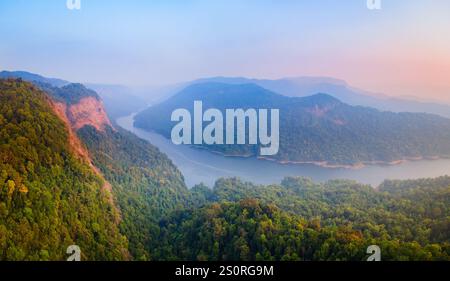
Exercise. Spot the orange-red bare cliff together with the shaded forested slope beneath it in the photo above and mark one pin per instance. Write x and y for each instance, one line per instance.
(141, 182)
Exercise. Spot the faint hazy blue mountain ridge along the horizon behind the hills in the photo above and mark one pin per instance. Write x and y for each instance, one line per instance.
(121, 100)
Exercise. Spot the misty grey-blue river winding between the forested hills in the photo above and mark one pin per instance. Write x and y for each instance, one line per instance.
(201, 166)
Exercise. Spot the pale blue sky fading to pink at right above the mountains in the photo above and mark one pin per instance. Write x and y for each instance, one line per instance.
(401, 50)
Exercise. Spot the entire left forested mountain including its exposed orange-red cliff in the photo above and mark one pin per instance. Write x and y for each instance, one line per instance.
(141, 183)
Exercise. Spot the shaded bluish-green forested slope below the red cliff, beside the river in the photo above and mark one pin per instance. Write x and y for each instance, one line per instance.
(146, 185)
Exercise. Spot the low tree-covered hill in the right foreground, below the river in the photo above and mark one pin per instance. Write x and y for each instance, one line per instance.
(302, 220)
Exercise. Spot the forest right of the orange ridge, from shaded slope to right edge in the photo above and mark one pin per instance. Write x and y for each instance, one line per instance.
(295, 220)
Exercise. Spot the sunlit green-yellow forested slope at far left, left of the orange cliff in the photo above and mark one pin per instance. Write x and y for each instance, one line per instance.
(50, 196)
